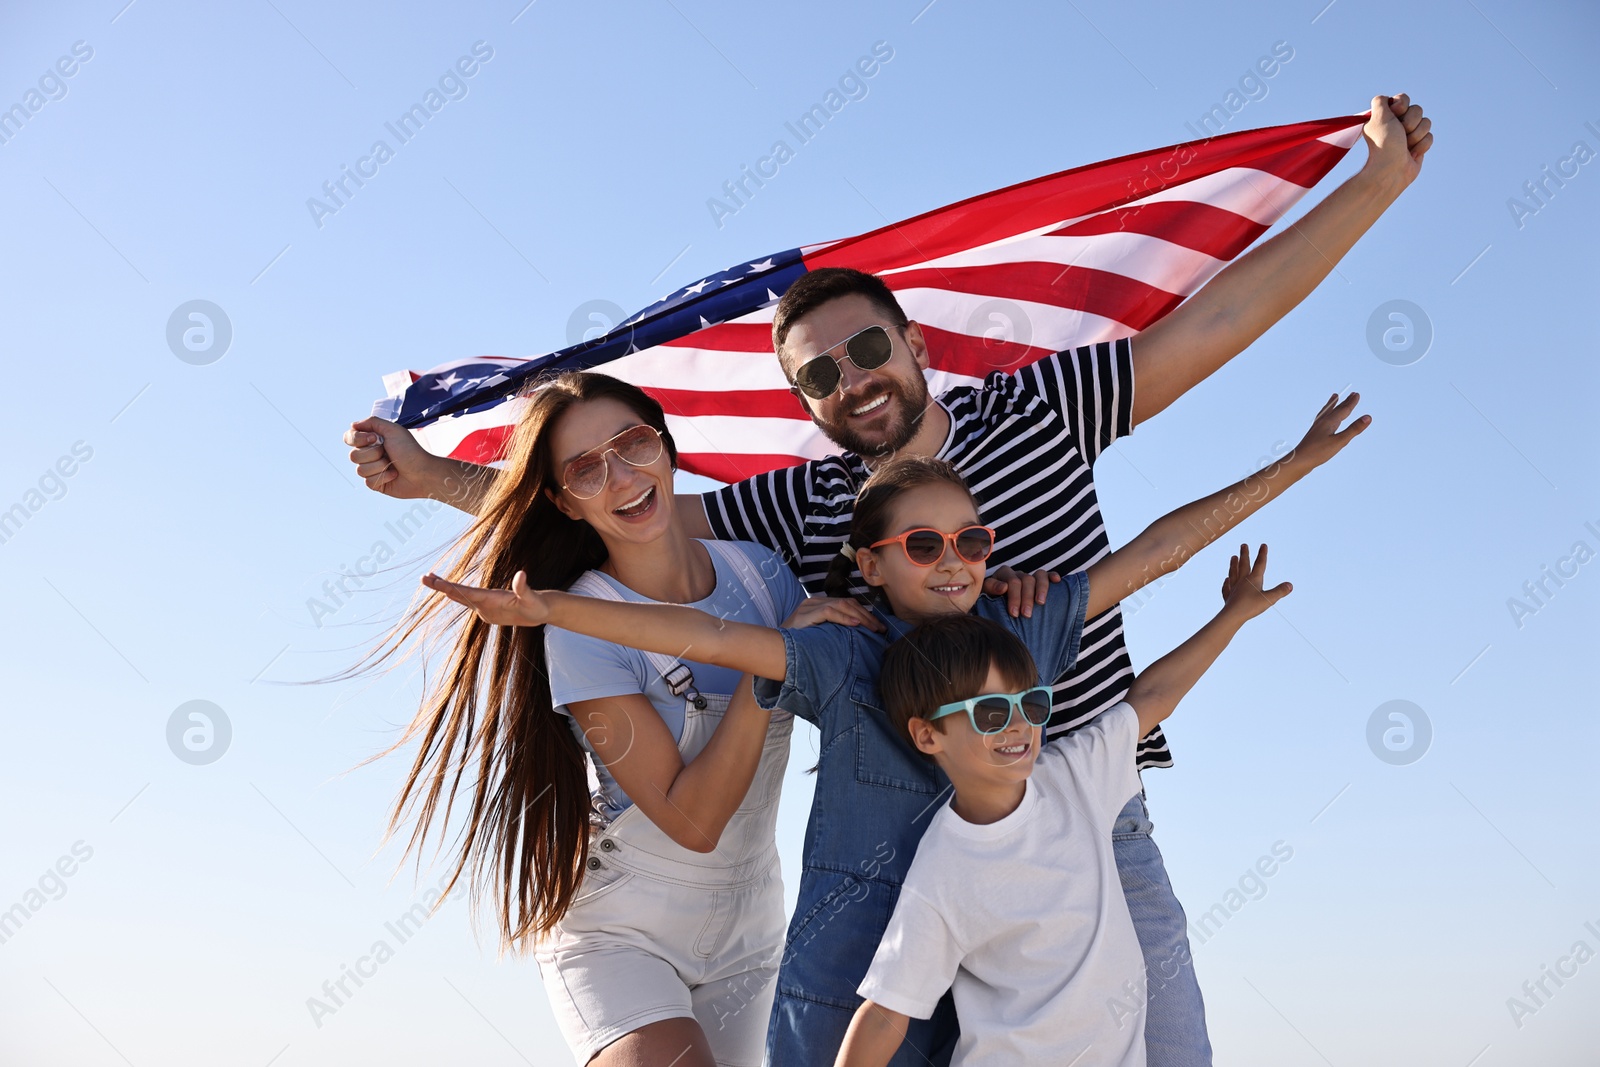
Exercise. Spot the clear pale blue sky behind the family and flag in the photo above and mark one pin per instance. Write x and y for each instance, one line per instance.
(207, 903)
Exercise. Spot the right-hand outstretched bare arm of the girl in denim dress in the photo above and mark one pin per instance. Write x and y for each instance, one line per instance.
(1175, 538)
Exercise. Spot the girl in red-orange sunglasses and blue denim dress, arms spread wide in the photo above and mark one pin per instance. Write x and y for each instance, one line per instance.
(921, 548)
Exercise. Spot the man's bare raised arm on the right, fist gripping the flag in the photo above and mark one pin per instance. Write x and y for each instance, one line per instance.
(1242, 303)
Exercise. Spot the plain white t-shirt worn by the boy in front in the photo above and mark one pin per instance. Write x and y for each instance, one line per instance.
(1025, 919)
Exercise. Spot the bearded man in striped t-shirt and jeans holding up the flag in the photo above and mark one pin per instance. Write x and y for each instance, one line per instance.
(1026, 444)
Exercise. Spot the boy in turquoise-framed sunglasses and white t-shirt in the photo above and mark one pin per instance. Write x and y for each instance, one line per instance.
(1014, 898)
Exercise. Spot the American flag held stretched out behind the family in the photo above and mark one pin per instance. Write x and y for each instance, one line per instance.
(998, 281)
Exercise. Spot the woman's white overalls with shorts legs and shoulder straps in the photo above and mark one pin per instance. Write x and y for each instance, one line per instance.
(660, 932)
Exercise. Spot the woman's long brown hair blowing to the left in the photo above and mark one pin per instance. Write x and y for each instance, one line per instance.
(526, 839)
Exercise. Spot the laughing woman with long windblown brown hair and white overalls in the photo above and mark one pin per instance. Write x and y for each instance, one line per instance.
(650, 890)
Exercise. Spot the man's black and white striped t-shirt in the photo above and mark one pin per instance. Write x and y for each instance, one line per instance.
(1026, 444)
